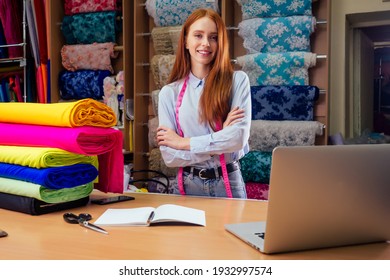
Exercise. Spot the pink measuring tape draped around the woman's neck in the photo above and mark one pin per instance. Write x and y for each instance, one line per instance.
(221, 157)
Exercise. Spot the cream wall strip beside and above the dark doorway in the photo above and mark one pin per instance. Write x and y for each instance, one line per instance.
(339, 10)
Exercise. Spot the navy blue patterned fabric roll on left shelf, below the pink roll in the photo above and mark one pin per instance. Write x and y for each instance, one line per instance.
(82, 84)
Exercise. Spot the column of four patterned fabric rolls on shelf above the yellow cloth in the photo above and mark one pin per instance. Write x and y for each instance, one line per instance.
(90, 29)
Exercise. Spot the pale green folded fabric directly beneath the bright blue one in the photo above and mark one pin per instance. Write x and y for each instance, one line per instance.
(28, 189)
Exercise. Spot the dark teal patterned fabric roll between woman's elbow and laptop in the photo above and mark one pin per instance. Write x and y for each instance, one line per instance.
(256, 166)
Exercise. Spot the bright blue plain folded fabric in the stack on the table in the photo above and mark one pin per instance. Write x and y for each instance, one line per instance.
(68, 176)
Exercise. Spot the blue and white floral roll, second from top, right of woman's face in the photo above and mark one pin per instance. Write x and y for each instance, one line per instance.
(278, 34)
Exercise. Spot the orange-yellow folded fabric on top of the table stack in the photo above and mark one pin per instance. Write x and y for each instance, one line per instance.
(85, 112)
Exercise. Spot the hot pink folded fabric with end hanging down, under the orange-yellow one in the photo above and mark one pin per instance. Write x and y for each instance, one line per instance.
(106, 143)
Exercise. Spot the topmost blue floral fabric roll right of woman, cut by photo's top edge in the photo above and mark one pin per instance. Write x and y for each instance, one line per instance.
(274, 8)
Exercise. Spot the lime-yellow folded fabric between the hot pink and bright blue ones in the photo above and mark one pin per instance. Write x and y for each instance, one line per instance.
(38, 157)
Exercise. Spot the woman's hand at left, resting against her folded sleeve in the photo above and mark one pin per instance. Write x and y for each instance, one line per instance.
(168, 137)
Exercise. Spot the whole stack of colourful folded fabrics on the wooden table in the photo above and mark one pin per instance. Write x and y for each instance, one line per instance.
(53, 155)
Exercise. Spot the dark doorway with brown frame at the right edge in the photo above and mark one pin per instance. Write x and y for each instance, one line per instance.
(368, 72)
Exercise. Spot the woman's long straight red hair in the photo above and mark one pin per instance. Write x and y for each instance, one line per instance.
(216, 96)
